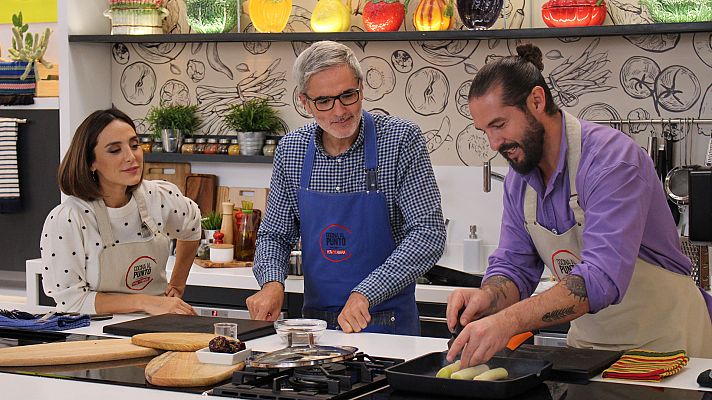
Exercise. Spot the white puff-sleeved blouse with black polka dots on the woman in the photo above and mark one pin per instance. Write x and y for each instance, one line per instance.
(70, 243)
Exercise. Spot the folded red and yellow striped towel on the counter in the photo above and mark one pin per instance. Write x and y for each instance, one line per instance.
(646, 365)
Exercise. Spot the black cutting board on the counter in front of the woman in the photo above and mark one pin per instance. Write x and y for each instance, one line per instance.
(246, 329)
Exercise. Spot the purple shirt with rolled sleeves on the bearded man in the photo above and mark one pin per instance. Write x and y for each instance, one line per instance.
(626, 217)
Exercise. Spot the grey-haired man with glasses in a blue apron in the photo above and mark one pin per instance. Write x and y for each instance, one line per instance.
(360, 191)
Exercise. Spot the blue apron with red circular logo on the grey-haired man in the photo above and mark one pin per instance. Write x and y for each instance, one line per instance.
(345, 236)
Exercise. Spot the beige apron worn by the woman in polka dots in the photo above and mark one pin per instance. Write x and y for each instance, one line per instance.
(138, 267)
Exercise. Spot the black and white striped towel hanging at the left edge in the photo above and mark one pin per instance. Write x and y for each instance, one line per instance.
(9, 174)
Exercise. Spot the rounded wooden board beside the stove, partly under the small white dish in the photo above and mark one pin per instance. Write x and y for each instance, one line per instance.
(183, 369)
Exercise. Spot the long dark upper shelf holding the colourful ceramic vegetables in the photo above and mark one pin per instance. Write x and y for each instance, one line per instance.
(529, 33)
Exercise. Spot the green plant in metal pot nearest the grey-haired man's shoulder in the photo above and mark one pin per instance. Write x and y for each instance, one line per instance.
(253, 120)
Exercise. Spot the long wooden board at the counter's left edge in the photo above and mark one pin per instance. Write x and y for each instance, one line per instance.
(73, 352)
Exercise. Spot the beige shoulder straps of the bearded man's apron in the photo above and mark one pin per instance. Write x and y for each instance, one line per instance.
(572, 128)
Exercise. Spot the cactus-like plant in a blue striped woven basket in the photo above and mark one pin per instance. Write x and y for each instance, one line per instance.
(18, 76)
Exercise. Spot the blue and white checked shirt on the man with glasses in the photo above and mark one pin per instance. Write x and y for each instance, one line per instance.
(405, 176)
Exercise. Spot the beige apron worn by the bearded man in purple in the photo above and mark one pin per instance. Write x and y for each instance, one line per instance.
(661, 310)
